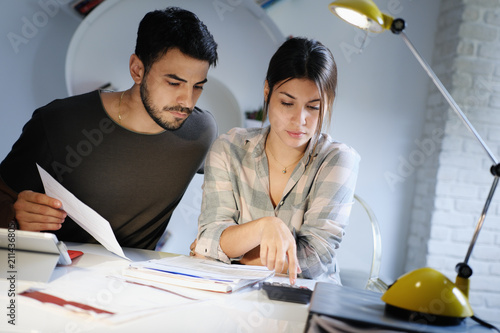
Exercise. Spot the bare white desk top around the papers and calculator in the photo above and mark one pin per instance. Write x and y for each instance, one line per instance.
(247, 310)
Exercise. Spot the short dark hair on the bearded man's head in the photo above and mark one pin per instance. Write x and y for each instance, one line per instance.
(174, 27)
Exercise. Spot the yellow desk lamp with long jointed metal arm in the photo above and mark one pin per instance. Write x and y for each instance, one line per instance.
(424, 295)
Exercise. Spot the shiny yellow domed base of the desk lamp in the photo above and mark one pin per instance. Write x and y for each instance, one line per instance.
(427, 291)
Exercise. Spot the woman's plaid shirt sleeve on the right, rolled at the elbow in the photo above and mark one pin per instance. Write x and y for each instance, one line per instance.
(328, 208)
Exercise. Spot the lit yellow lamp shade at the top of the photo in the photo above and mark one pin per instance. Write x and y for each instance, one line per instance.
(361, 13)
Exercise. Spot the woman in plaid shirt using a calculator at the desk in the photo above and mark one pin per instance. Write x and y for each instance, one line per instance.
(280, 196)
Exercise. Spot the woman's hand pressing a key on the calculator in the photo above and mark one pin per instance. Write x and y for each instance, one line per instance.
(277, 248)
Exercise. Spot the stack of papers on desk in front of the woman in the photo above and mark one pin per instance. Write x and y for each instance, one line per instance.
(198, 273)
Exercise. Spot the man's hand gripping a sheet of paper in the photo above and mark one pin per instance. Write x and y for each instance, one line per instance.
(38, 212)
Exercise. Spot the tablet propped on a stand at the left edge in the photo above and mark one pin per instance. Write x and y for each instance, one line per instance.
(40, 242)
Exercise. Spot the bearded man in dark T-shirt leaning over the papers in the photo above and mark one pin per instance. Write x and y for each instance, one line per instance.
(128, 155)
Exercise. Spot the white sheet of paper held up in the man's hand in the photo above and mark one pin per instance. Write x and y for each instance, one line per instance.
(83, 215)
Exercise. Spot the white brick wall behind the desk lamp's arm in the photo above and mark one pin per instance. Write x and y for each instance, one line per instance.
(454, 181)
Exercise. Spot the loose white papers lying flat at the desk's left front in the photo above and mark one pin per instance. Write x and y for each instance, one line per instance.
(98, 288)
